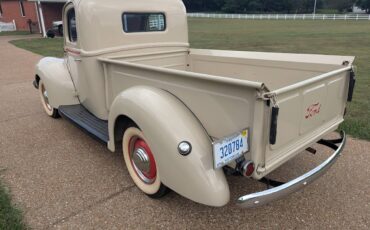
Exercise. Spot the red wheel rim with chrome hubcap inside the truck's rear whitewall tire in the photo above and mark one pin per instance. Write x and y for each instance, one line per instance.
(142, 160)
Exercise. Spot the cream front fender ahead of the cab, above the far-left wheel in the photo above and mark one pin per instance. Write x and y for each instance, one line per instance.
(54, 74)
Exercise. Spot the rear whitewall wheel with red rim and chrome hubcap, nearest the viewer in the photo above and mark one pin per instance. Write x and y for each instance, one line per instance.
(141, 164)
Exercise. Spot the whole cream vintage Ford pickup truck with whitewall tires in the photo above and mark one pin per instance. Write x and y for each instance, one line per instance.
(187, 118)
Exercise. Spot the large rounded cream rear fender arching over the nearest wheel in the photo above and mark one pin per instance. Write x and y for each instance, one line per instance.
(165, 122)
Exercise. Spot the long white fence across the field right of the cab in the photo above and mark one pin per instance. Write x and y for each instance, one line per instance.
(284, 16)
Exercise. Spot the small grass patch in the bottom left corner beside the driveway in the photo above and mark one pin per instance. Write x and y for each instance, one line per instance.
(10, 217)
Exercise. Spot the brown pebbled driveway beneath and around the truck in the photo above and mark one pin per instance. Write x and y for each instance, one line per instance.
(62, 178)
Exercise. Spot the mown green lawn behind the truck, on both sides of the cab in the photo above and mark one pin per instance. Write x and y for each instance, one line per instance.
(320, 37)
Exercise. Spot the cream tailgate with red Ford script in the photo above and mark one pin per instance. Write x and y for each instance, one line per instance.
(306, 111)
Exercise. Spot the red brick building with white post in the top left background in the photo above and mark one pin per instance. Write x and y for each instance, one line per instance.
(37, 13)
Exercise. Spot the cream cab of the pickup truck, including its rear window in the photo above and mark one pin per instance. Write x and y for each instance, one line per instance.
(89, 36)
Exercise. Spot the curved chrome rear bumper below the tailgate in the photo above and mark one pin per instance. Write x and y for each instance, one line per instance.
(266, 196)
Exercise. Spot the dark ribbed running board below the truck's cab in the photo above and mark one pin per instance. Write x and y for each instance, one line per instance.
(80, 117)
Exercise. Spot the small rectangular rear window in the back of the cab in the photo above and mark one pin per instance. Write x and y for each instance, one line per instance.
(143, 22)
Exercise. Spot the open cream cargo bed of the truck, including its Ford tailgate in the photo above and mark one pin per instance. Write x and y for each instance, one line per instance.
(222, 89)
